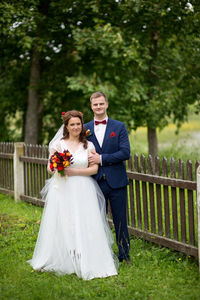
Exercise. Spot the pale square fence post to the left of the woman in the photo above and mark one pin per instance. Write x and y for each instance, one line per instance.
(18, 171)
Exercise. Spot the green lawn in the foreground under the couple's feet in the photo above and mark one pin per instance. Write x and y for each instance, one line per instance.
(155, 273)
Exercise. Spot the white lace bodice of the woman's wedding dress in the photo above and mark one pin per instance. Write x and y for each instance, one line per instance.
(80, 156)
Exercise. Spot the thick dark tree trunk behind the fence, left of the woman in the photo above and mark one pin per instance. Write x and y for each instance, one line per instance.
(32, 116)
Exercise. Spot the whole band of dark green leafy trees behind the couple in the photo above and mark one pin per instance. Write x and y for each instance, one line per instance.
(145, 55)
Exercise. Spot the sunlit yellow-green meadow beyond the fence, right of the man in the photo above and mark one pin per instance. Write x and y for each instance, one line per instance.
(184, 145)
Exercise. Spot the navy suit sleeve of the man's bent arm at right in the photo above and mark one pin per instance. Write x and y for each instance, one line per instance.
(123, 152)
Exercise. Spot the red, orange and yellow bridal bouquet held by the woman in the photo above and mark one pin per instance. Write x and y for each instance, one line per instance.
(60, 161)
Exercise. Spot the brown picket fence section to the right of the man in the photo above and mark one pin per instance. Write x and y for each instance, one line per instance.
(163, 209)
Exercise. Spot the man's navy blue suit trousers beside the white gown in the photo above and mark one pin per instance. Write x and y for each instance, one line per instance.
(118, 200)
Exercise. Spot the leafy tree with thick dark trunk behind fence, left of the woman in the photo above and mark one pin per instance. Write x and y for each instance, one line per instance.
(40, 32)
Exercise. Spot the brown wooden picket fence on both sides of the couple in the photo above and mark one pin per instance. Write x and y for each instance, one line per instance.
(162, 206)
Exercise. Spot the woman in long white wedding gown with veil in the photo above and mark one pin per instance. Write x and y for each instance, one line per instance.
(74, 236)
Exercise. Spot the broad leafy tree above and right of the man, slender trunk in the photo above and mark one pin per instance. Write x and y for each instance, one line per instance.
(138, 57)
